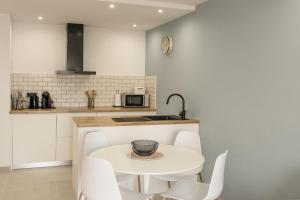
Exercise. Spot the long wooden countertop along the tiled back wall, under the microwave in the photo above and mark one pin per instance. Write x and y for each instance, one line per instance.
(81, 109)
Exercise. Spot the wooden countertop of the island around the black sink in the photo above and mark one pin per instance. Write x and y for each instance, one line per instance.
(108, 122)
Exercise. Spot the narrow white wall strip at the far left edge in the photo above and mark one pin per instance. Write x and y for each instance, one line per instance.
(5, 69)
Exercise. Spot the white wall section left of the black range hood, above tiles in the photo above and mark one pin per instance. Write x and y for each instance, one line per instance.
(38, 48)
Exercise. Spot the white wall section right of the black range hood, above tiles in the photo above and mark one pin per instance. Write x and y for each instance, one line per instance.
(110, 51)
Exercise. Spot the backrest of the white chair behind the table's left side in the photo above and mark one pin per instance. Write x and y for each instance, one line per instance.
(94, 140)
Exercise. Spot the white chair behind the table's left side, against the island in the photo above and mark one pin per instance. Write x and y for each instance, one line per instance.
(96, 140)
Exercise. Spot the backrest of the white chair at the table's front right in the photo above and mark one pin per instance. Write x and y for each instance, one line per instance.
(217, 179)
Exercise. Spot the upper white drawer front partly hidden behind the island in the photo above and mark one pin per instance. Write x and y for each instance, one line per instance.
(65, 123)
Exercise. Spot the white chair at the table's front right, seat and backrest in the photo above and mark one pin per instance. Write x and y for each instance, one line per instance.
(191, 190)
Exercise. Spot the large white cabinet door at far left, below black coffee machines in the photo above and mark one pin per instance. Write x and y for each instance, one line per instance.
(34, 138)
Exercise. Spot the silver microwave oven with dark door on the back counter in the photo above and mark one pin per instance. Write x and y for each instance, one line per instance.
(135, 100)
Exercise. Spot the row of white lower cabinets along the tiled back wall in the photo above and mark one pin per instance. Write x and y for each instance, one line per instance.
(40, 138)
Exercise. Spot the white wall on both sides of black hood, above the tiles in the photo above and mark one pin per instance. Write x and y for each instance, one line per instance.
(41, 48)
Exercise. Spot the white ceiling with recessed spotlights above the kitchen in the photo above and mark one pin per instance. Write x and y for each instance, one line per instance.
(97, 13)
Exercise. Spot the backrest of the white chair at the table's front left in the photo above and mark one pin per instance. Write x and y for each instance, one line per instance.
(98, 180)
